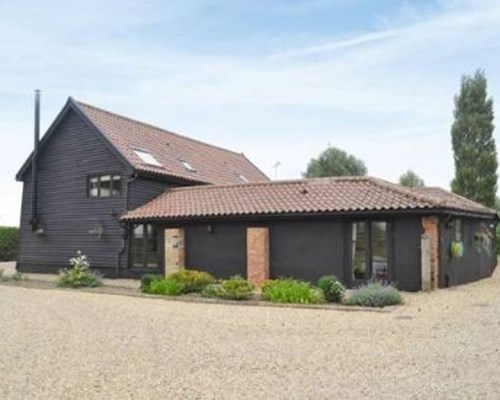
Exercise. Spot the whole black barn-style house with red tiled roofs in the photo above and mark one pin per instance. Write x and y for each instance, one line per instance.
(138, 199)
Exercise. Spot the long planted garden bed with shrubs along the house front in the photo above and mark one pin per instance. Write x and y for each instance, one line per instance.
(191, 285)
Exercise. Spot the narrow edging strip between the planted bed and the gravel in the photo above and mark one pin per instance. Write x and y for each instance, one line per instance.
(121, 291)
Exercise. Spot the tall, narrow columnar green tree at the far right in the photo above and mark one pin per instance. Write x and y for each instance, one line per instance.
(474, 149)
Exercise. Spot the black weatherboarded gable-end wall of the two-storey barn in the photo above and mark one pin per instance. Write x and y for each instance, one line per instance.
(65, 211)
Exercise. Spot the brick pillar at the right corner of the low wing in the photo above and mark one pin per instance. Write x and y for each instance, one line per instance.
(431, 236)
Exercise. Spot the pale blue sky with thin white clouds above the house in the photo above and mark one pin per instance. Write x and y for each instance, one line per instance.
(279, 80)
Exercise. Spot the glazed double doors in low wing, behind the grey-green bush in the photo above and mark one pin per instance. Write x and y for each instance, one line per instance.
(369, 251)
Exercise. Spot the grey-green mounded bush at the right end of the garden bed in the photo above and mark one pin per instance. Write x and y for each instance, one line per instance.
(375, 294)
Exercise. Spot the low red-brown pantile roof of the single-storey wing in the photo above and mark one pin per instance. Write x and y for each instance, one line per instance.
(320, 195)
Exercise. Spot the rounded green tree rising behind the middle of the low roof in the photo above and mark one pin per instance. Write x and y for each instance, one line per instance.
(335, 162)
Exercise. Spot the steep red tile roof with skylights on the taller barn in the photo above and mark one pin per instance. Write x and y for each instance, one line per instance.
(212, 164)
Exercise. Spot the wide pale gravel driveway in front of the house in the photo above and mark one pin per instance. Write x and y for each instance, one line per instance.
(68, 345)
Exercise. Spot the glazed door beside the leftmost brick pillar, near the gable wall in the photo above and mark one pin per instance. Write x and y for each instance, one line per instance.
(144, 246)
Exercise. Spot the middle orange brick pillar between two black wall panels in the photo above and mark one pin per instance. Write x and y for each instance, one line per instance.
(257, 255)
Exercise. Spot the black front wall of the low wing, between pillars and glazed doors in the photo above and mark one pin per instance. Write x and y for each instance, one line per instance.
(302, 248)
